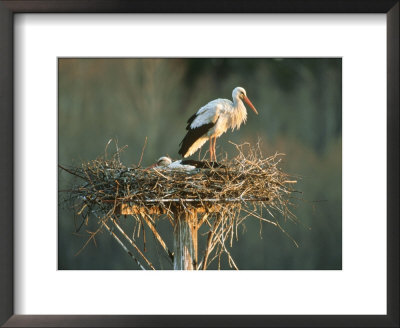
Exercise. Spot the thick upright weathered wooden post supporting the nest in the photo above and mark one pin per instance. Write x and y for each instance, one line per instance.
(185, 241)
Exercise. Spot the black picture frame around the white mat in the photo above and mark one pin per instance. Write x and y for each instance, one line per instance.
(7, 197)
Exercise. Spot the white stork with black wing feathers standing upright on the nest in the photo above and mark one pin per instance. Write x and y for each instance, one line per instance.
(214, 119)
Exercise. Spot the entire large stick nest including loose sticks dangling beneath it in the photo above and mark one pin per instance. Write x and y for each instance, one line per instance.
(247, 185)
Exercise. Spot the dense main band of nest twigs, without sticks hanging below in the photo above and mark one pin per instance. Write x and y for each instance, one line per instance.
(246, 178)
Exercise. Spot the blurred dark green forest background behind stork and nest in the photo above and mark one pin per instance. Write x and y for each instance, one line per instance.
(300, 114)
